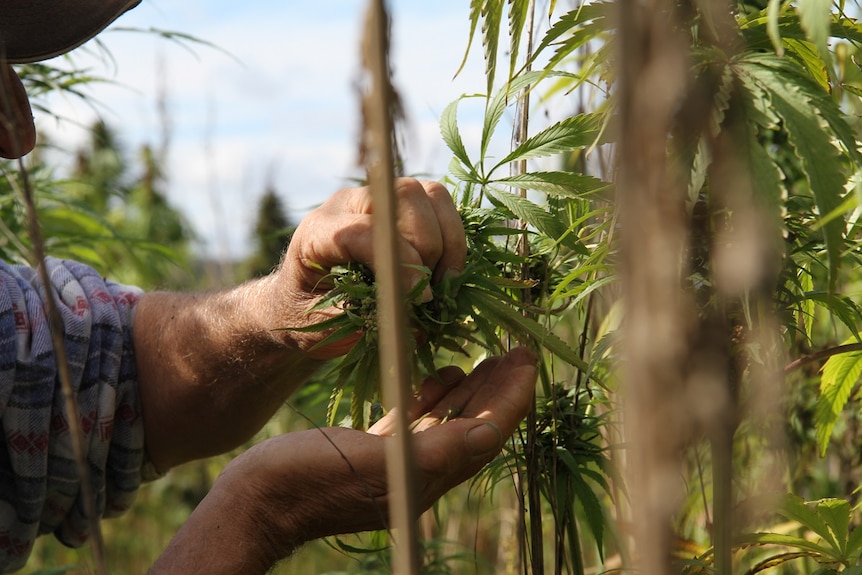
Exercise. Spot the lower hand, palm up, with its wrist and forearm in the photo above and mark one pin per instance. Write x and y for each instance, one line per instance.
(304, 485)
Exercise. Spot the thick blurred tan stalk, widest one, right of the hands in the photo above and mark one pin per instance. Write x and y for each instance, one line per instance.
(653, 77)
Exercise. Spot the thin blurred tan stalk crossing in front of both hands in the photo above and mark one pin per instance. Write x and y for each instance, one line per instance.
(392, 323)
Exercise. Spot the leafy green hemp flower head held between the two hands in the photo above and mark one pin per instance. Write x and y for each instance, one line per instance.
(477, 309)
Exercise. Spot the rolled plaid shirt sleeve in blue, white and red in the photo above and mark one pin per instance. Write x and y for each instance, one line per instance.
(40, 491)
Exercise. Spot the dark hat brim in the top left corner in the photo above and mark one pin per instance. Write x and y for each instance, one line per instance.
(33, 30)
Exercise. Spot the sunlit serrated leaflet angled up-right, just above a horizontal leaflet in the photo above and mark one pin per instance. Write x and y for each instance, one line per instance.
(565, 136)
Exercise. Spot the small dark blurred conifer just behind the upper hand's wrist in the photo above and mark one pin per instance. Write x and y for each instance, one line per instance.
(272, 233)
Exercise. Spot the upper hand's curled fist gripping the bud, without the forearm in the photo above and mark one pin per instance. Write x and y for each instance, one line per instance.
(340, 231)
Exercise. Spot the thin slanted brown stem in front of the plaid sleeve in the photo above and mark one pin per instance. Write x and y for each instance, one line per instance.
(56, 326)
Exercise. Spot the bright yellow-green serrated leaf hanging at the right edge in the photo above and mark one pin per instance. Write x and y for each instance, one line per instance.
(840, 375)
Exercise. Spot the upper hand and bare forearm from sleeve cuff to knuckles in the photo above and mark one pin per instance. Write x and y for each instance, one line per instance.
(214, 367)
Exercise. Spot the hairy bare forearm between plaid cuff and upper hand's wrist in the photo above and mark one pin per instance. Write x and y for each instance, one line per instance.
(213, 368)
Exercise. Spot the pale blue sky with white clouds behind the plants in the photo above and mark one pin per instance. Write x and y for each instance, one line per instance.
(273, 103)
